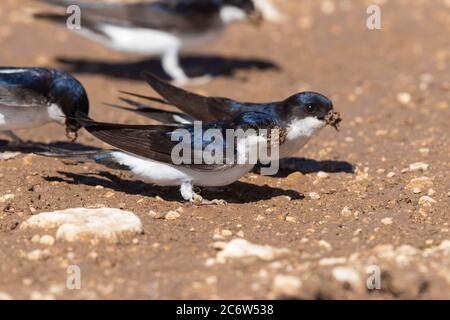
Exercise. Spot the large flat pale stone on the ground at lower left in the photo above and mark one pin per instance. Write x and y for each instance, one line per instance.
(88, 224)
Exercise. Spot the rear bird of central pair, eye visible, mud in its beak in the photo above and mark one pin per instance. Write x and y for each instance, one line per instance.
(303, 113)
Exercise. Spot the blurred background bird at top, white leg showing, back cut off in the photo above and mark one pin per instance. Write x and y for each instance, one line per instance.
(157, 28)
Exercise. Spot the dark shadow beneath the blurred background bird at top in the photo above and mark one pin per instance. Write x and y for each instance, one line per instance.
(194, 66)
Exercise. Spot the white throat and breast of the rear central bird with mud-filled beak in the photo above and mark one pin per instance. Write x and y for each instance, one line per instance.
(299, 133)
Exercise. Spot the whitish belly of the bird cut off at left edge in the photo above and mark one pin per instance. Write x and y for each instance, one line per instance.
(16, 118)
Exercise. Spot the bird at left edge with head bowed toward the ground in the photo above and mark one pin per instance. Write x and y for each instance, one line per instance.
(32, 97)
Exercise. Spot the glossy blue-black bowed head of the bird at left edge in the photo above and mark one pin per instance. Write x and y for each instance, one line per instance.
(71, 97)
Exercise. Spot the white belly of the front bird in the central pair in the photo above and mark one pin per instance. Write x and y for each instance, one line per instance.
(169, 175)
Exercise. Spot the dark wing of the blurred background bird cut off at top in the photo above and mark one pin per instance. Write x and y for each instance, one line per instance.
(175, 16)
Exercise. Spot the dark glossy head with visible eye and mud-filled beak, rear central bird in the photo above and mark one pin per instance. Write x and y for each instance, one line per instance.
(309, 104)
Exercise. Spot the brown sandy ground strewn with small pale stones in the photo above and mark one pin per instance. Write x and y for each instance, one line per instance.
(392, 88)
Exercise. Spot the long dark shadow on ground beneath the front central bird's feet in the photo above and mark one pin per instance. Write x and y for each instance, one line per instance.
(238, 192)
